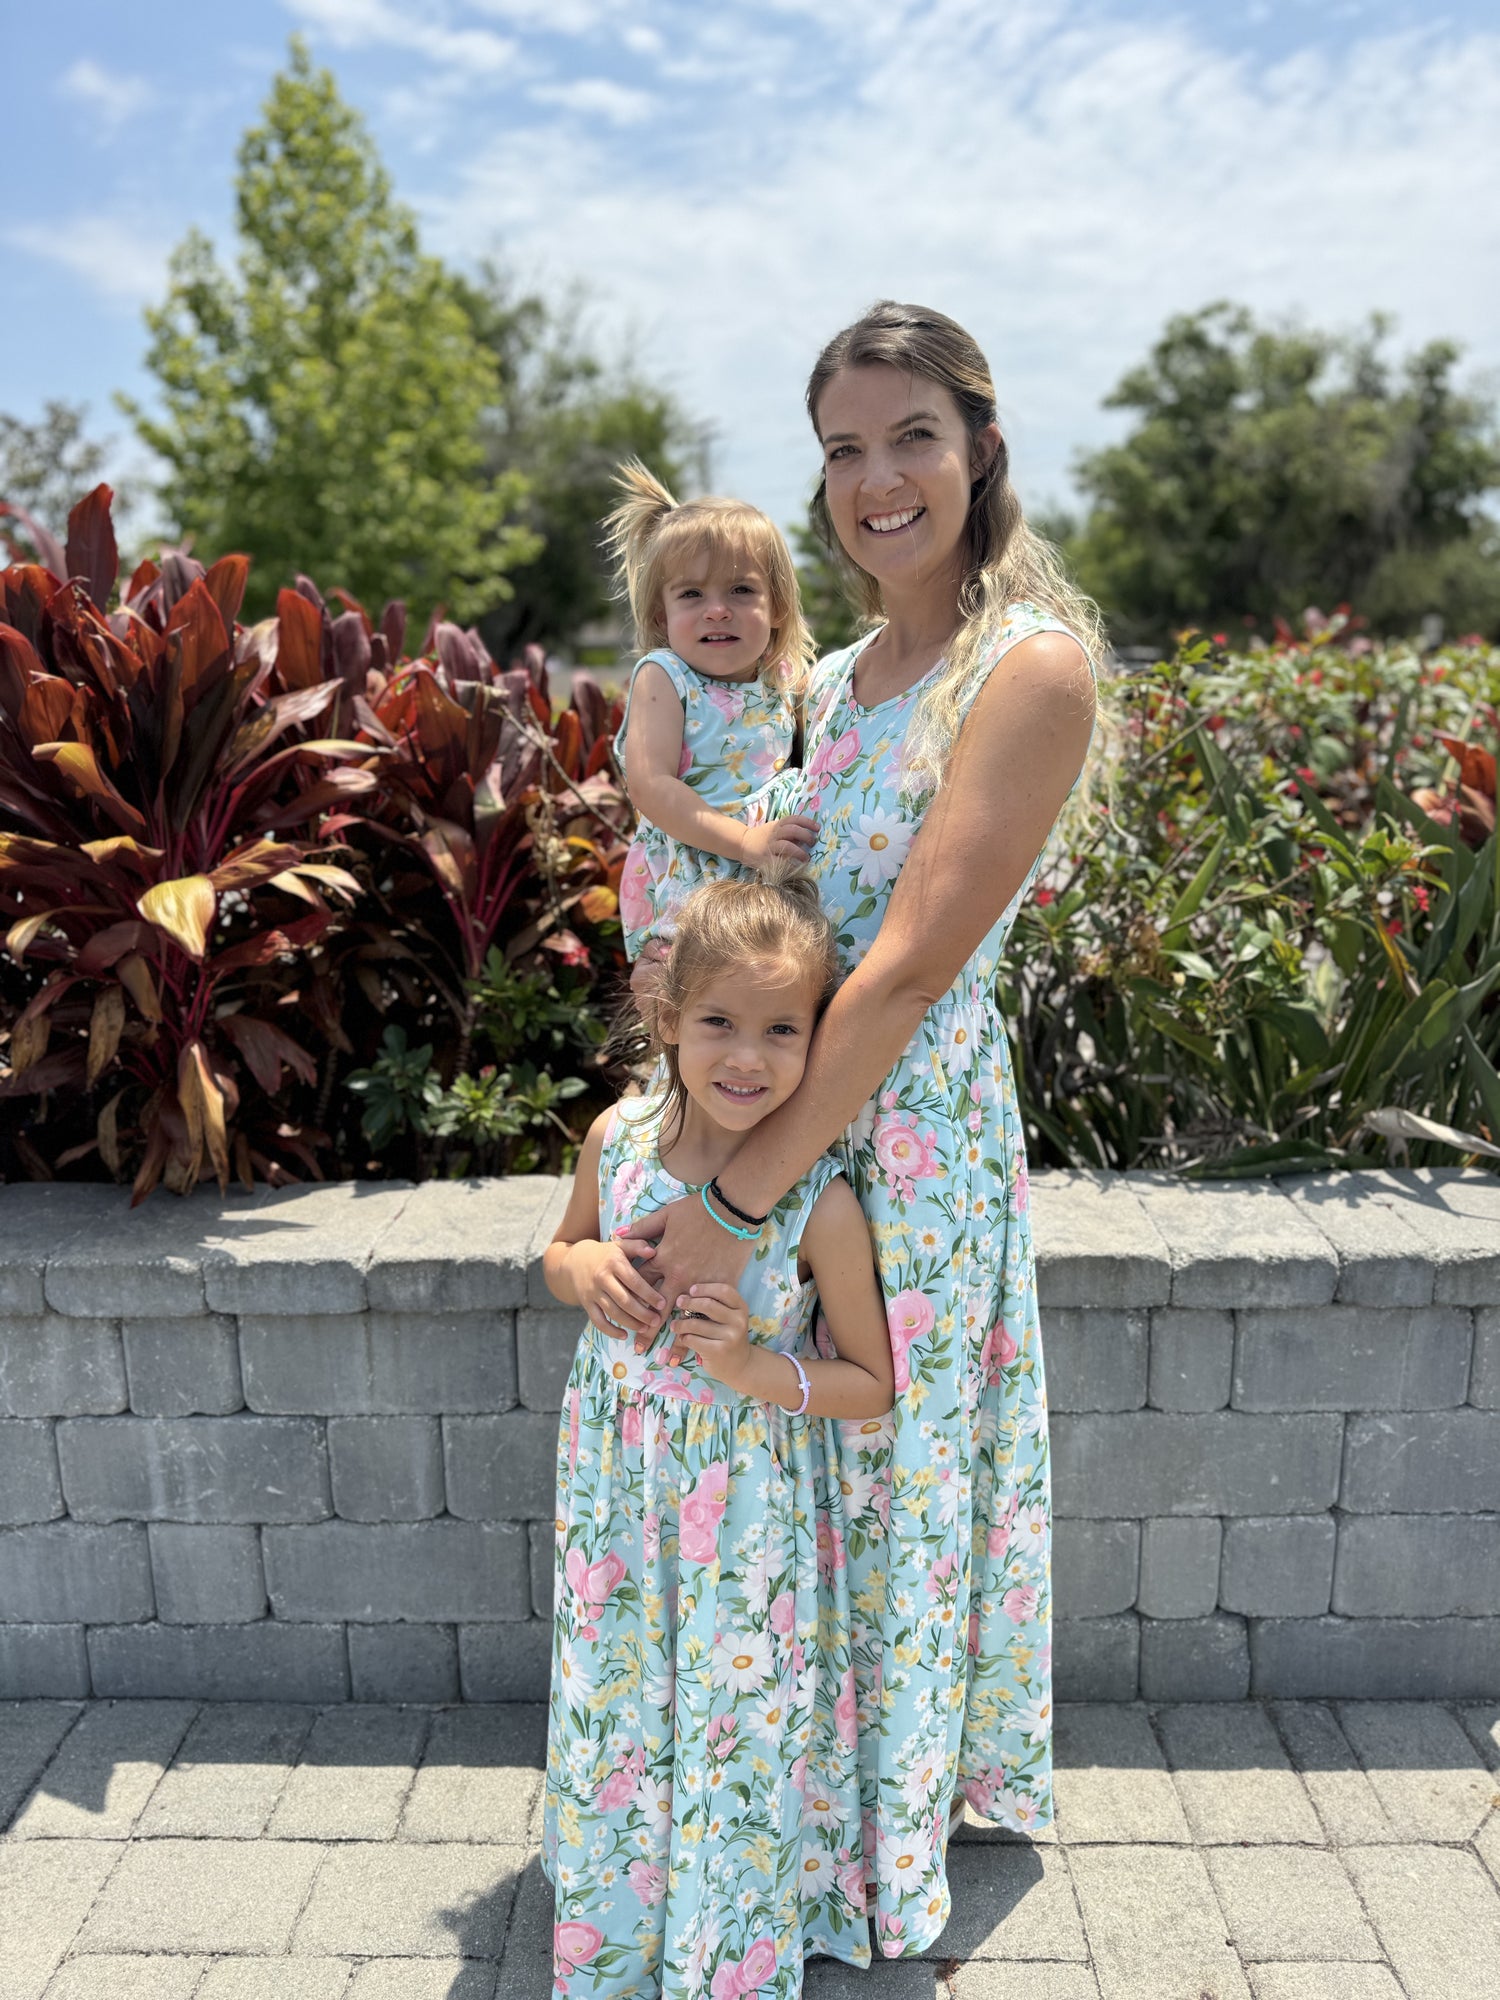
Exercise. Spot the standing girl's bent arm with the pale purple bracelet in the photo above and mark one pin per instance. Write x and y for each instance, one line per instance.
(863, 1379)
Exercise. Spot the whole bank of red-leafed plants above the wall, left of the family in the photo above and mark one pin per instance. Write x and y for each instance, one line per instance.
(179, 995)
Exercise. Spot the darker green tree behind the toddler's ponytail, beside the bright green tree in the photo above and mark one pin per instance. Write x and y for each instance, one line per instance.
(565, 423)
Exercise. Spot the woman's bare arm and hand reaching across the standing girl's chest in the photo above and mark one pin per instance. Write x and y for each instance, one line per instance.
(1011, 771)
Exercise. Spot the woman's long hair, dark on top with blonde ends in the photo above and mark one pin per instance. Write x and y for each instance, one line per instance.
(1005, 561)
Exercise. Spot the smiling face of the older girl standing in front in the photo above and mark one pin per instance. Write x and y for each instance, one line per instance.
(743, 1043)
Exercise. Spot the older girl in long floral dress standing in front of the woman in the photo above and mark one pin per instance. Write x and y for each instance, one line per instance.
(703, 1815)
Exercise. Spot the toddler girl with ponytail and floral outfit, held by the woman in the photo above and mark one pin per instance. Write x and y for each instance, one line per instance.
(713, 707)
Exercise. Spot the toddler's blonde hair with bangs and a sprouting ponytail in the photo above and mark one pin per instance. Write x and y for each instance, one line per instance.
(651, 537)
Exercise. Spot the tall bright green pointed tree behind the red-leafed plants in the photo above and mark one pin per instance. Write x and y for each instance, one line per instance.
(325, 403)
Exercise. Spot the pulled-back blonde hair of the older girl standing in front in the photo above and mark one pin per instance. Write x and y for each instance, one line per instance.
(773, 919)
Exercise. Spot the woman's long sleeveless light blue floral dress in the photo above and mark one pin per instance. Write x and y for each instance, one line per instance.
(949, 1499)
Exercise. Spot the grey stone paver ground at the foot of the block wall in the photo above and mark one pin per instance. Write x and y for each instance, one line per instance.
(1243, 1851)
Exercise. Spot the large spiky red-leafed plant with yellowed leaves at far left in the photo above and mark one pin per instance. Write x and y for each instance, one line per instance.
(159, 849)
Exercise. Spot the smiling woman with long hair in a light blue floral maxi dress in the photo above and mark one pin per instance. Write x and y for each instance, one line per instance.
(941, 751)
